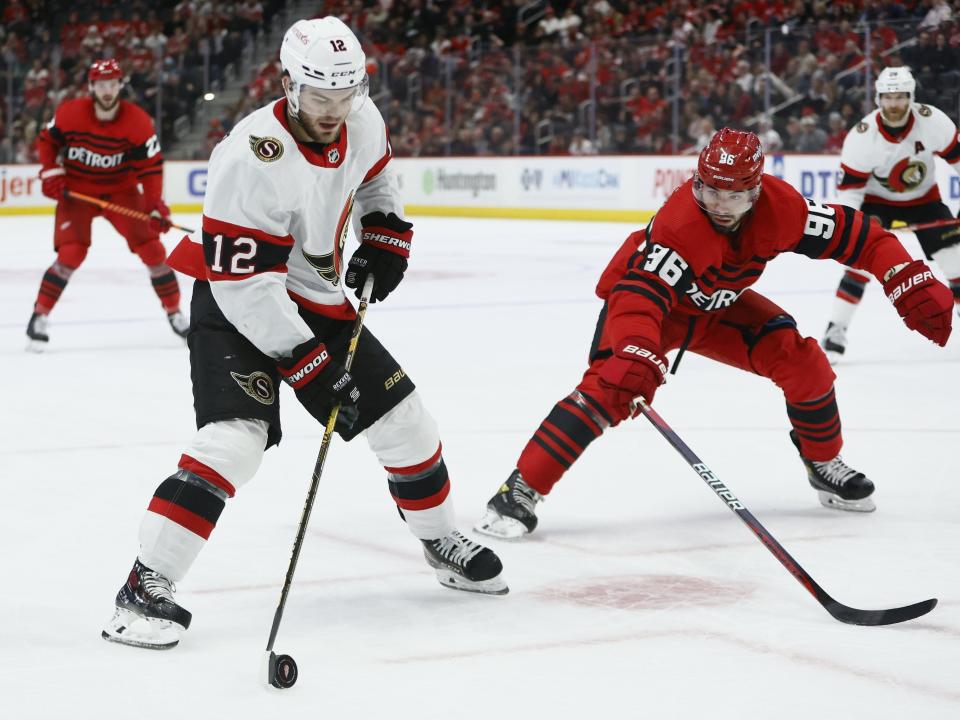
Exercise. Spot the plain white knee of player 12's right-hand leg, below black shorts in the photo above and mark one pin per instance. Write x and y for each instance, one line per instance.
(407, 435)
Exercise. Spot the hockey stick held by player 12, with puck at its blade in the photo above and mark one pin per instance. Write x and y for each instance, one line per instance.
(282, 670)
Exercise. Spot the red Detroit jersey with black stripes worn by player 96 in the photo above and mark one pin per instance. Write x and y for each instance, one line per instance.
(681, 264)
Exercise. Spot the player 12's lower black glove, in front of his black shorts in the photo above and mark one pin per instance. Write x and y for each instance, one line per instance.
(320, 382)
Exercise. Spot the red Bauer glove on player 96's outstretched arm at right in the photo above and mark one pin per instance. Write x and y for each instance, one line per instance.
(924, 303)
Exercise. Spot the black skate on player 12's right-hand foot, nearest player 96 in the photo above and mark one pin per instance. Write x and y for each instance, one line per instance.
(462, 564)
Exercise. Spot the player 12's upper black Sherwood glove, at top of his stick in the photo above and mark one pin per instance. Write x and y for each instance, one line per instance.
(384, 249)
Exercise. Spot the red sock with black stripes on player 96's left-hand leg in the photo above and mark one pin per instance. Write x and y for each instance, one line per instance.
(563, 436)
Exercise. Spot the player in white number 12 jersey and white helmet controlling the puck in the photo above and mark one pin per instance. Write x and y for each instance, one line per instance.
(268, 305)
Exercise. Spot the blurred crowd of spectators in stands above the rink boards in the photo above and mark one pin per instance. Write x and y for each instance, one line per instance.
(484, 77)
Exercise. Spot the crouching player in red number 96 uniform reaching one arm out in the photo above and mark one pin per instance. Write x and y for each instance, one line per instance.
(684, 282)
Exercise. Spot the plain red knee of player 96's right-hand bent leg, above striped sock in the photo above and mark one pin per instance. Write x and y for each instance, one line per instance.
(795, 363)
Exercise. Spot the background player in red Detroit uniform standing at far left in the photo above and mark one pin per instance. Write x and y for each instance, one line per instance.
(107, 147)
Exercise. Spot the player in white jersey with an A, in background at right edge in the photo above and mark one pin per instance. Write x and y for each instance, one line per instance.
(889, 172)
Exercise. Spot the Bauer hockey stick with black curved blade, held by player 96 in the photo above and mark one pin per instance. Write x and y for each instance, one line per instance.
(841, 612)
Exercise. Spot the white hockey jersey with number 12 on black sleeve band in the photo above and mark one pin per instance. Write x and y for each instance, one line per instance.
(275, 219)
